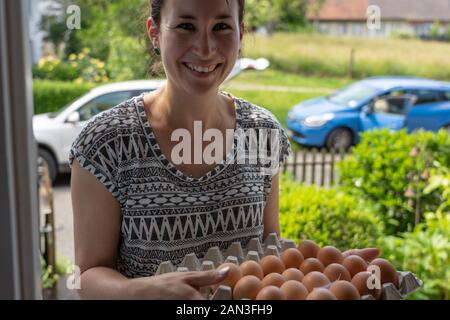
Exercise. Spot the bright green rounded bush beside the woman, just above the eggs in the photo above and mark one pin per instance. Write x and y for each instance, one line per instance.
(328, 217)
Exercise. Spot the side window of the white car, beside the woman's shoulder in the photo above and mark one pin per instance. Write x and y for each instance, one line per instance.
(102, 103)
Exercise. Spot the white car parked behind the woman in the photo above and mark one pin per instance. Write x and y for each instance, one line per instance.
(55, 132)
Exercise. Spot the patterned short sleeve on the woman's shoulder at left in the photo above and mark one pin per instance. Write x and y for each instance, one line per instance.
(96, 150)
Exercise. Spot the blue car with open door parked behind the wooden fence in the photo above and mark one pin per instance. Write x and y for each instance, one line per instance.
(336, 121)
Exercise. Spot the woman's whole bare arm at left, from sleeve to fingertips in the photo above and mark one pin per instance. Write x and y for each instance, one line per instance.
(97, 222)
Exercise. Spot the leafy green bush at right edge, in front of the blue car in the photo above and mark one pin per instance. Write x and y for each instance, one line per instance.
(390, 169)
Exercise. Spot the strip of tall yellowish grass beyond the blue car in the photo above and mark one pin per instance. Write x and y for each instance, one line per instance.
(320, 55)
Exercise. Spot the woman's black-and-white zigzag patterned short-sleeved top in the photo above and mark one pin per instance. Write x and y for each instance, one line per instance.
(165, 213)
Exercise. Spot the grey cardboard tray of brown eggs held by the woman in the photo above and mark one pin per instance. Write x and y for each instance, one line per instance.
(279, 269)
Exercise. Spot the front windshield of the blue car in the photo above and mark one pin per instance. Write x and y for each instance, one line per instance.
(353, 95)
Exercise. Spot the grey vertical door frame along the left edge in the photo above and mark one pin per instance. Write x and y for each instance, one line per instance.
(19, 230)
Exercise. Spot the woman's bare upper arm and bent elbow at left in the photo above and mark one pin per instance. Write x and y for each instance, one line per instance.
(97, 220)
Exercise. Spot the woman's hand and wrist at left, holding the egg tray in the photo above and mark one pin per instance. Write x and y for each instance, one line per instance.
(175, 286)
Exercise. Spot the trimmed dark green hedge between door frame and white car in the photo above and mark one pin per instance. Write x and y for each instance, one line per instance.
(50, 96)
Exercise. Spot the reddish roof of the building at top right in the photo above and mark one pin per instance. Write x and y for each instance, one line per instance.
(391, 10)
